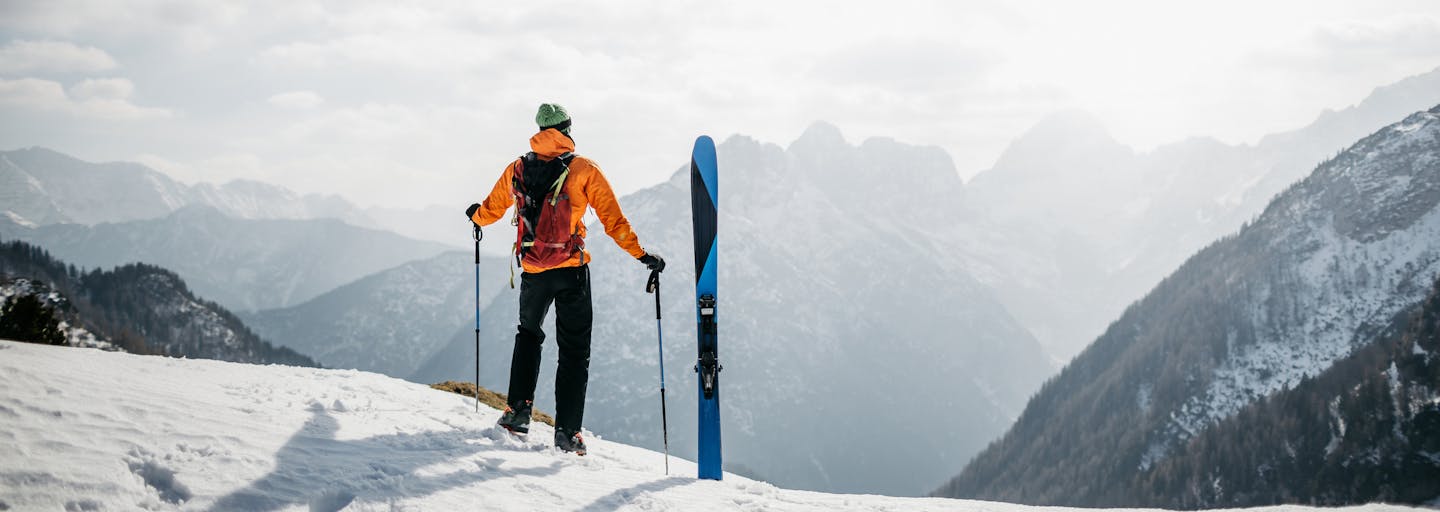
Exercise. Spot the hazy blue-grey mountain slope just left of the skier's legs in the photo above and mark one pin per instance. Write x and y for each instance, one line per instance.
(388, 323)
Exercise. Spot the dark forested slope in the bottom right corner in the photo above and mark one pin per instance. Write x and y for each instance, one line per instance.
(1364, 431)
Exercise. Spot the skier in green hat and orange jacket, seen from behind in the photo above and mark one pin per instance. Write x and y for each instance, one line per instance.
(552, 189)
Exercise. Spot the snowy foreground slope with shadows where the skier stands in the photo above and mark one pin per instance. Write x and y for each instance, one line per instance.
(129, 432)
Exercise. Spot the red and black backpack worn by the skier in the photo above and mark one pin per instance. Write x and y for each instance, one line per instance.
(545, 235)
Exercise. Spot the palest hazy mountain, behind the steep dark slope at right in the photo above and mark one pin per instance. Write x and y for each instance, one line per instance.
(1097, 225)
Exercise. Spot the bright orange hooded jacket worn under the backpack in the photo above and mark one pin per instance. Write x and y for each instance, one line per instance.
(587, 189)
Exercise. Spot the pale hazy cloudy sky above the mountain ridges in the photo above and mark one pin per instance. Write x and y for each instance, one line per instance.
(411, 104)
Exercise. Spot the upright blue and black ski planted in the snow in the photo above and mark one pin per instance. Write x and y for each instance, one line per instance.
(703, 204)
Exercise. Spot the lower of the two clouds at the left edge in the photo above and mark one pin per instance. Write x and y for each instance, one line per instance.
(93, 99)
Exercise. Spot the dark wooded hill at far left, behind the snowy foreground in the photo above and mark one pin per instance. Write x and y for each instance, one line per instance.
(136, 308)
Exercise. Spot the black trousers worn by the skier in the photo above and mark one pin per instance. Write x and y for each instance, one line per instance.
(570, 288)
